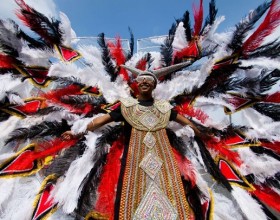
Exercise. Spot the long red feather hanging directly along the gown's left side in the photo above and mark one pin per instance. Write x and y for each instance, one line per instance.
(109, 179)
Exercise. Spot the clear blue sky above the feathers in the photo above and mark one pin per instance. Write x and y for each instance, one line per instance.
(146, 18)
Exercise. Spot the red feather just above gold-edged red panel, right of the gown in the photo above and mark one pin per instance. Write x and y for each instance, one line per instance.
(220, 148)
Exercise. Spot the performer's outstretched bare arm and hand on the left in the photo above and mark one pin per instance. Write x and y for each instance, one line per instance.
(94, 124)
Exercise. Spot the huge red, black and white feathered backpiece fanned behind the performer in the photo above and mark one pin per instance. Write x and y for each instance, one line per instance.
(227, 84)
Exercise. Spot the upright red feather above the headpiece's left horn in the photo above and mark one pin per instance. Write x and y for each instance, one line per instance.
(118, 54)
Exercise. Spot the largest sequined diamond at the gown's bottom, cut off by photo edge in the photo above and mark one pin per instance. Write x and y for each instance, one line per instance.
(155, 205)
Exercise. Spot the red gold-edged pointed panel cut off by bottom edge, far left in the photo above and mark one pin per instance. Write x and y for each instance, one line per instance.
(45, 203)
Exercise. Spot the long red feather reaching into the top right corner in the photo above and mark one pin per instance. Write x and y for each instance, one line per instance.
(270, 22)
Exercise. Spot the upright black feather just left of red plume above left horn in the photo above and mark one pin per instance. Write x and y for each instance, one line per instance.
(106, 57)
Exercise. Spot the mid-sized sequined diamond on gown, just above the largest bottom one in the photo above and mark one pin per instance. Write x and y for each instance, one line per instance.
(151, 164)
